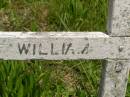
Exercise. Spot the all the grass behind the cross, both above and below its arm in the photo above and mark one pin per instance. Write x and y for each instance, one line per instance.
(39, 78)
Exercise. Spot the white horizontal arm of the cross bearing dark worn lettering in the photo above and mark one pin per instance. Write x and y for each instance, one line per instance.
(63, 45)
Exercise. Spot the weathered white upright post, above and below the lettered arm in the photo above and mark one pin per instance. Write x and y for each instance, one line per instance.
(115, 71)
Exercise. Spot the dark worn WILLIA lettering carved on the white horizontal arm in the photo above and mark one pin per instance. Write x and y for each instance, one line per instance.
(40, 49)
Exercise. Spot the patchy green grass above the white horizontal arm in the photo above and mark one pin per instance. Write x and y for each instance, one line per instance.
(53, 15)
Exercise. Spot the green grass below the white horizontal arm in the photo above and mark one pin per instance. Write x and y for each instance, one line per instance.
(49, 78)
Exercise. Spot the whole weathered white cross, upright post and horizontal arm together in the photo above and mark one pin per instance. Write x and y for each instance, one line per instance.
(114, 48)
